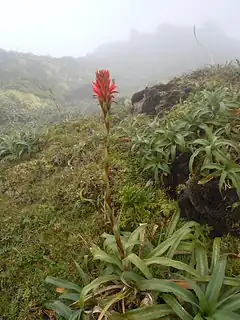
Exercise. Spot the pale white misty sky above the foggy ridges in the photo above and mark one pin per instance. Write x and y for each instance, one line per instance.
(76, 27)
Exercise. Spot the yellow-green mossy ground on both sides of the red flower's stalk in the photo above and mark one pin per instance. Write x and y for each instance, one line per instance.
(51, 211)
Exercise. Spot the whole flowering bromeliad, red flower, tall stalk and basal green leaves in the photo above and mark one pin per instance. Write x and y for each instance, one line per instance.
(126, 258)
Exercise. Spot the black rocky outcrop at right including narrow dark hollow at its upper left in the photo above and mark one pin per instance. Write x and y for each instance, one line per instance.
(203, 202)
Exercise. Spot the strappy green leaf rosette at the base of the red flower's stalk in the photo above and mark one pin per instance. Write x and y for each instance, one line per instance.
(120, 286)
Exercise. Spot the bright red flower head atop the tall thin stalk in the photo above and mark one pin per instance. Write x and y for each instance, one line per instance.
(103, 90)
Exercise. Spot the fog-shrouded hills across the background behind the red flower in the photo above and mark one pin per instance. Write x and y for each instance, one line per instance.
(35, 88)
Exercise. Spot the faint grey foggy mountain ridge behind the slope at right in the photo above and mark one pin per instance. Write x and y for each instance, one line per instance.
(158, 56)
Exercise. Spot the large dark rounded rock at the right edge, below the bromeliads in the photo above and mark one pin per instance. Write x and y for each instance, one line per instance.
(205, 204)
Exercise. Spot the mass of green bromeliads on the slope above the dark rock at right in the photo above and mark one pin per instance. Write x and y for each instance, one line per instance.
(207, 128)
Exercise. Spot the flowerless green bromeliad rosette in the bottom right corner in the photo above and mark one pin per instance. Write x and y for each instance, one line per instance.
(213, 296)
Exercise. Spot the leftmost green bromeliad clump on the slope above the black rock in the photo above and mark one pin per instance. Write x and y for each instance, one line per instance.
(159, 146)
